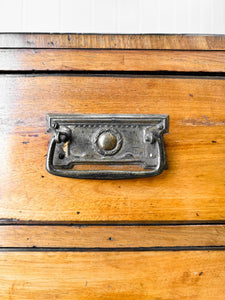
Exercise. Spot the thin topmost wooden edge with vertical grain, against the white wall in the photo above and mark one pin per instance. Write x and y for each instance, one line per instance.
(112, 41)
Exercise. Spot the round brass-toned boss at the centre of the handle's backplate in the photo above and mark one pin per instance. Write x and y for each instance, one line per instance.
(108, 141)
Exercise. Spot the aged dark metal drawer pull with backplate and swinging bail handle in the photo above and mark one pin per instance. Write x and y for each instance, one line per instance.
(106, 146)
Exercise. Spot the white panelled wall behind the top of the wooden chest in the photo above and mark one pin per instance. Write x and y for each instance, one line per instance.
(113, 16)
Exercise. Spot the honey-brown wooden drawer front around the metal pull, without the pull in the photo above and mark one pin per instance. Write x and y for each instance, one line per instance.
(192, 189)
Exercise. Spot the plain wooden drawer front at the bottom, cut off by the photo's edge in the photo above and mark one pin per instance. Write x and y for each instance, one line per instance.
(113, 275)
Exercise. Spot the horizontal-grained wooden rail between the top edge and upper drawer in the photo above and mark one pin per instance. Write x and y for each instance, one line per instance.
(111, 60)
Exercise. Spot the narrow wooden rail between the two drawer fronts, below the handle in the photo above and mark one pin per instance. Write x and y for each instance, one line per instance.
(112, 237)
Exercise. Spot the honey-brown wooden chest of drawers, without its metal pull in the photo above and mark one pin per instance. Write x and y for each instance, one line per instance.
(149, 238)
